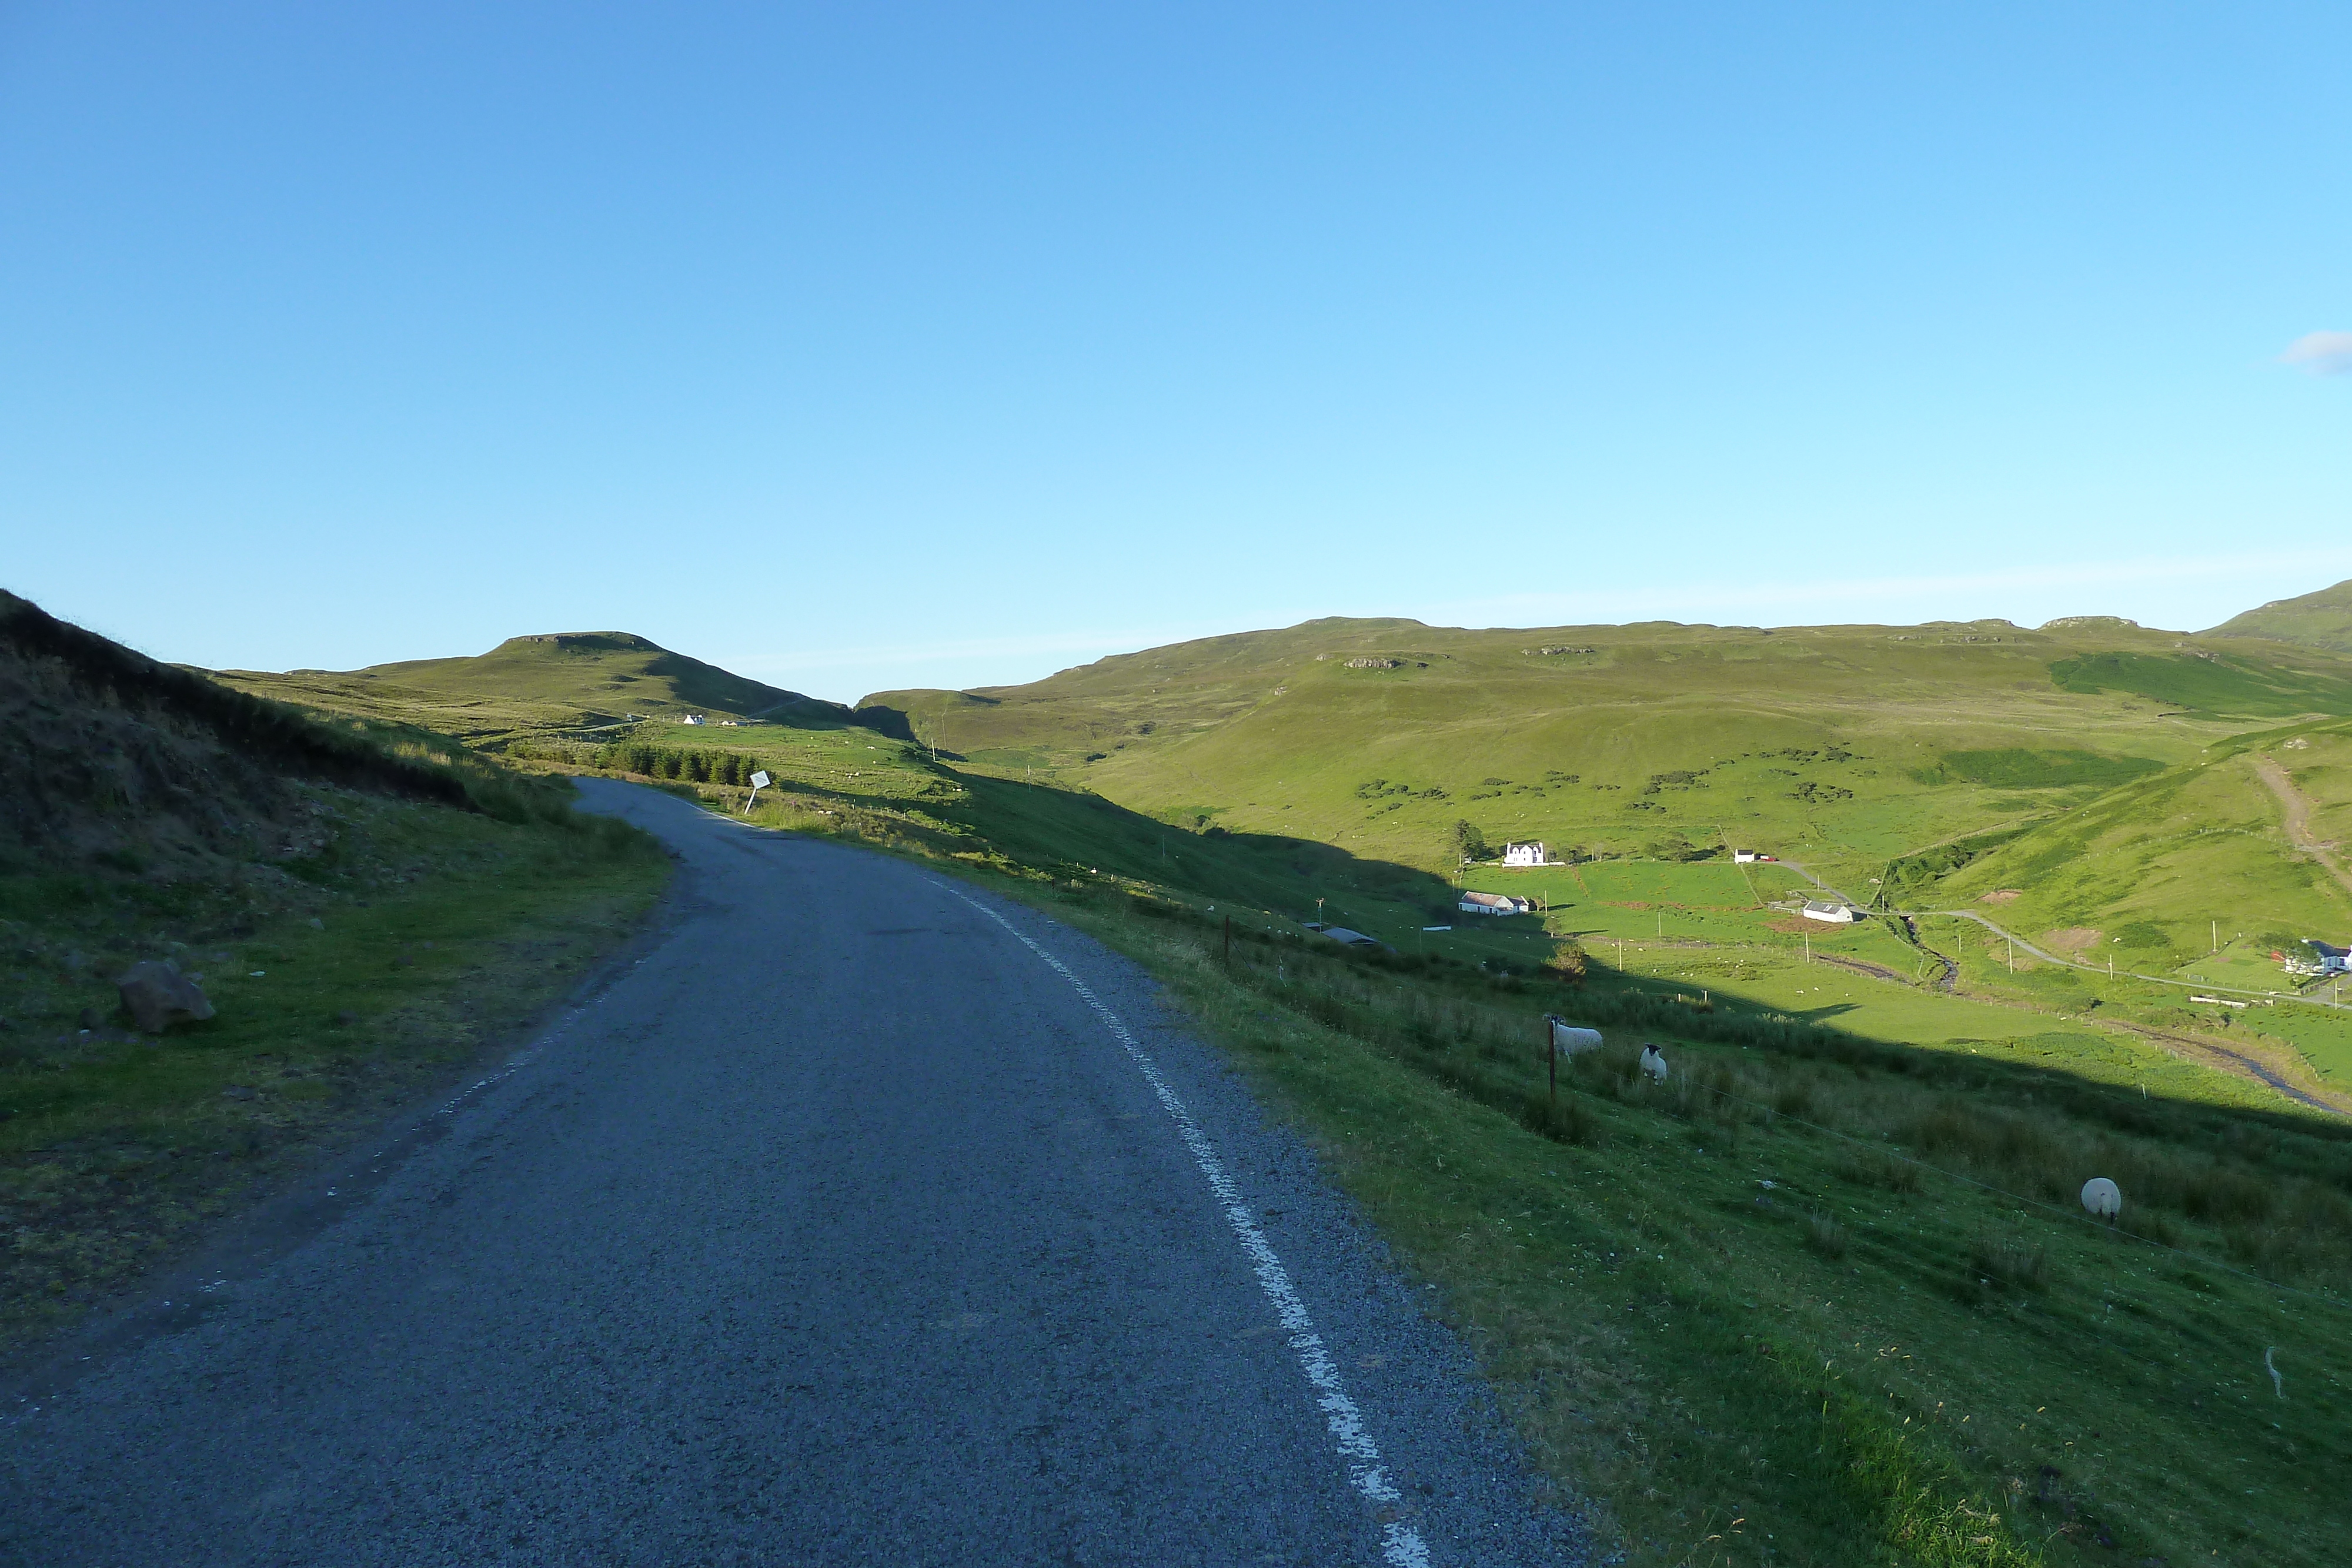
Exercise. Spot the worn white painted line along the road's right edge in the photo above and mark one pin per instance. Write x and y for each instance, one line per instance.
(1401, 1543)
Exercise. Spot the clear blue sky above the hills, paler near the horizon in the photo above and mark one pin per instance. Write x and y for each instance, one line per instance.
(871, 347)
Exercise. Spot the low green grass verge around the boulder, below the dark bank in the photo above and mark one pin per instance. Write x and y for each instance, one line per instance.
(345, 981)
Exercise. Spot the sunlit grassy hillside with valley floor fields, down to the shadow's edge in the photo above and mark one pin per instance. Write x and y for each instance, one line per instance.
(2090, 789)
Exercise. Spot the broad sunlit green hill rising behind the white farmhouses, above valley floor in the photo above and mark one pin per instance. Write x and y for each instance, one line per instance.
(1843, 746)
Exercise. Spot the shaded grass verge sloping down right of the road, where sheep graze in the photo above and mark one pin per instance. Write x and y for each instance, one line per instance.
(1805, 1306)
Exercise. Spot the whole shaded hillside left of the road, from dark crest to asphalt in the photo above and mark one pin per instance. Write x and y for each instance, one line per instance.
(366, 906)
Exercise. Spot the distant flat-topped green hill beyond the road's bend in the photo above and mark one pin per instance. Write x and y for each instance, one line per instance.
(552, 681)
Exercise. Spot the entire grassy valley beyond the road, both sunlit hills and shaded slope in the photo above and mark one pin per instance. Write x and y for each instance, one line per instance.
(2076, 855)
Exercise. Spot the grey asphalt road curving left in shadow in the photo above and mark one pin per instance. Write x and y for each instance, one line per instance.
(862, 1219)
